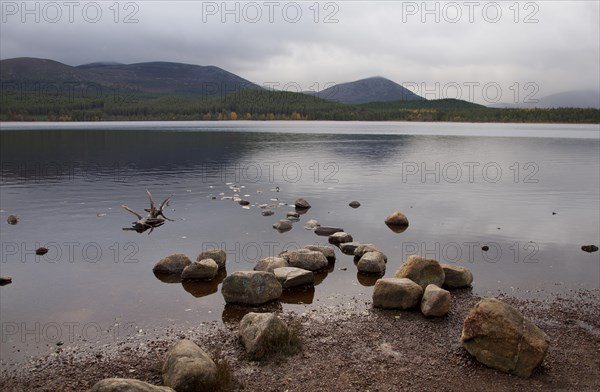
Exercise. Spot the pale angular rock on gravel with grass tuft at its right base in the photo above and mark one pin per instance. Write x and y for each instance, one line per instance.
(262, 333)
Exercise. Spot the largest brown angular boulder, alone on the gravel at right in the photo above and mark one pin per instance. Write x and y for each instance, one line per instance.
(498, 335)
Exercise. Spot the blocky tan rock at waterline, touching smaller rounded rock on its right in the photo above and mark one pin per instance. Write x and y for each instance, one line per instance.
(396, 293)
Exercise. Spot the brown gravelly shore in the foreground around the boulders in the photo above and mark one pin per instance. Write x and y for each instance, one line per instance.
(345, 349)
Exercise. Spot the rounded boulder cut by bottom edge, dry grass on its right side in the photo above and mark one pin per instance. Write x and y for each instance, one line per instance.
(188, 368)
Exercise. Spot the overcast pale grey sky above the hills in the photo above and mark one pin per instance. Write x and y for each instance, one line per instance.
(484, 51)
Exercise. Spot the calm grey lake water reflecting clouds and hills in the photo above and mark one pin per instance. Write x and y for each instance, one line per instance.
(529, 192)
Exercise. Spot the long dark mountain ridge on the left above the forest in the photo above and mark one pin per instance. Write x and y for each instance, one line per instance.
(151, 77)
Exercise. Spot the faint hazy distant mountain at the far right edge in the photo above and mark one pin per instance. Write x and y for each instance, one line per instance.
(565, 99)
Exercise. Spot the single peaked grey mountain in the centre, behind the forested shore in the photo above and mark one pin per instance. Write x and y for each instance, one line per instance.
(375, 89)
